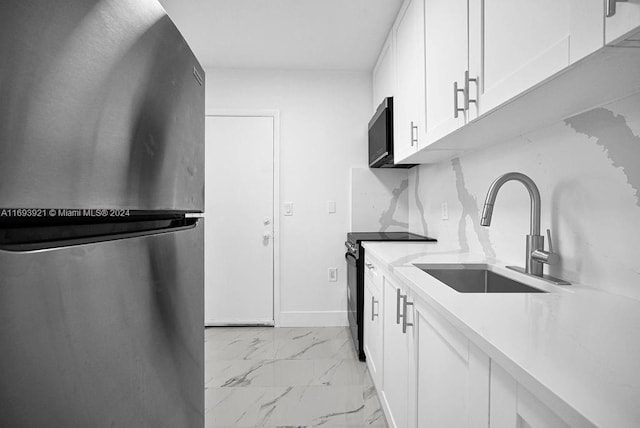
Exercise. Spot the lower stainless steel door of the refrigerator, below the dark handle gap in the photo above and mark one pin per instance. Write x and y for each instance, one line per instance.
(106, 334)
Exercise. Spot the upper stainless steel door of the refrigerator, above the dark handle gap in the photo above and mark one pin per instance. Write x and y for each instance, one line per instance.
(102, 106)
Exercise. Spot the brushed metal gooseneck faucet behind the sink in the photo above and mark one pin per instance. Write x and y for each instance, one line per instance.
(535, 254)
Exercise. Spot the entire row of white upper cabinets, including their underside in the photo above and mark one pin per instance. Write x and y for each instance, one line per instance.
(503, 67)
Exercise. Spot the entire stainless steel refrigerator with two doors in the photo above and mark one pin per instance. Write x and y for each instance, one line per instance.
(101, 258)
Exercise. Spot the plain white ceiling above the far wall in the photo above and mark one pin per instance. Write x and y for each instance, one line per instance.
(285, 34)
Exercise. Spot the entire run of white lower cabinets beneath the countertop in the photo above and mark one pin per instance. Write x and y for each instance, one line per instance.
(429, 374)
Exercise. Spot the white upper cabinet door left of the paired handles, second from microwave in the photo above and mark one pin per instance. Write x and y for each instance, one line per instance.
(446, 62)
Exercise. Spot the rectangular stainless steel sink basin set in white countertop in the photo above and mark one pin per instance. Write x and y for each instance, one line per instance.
(475, 278)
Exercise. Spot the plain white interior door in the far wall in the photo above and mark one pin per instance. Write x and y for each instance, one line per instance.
(239, 250)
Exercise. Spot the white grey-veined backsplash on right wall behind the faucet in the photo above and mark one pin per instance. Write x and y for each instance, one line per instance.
(587, 168)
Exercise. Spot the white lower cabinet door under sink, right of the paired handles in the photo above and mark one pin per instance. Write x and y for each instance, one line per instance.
(452, 375)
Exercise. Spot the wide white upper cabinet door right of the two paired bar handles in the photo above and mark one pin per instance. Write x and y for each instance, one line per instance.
(524, 42)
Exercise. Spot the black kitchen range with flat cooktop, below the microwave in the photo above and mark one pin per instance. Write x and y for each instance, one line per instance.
(355, 277)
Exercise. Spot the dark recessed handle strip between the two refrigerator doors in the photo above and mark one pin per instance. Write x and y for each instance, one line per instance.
(30, 239)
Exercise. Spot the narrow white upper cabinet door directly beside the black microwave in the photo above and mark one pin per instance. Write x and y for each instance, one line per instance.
(409, 108)
